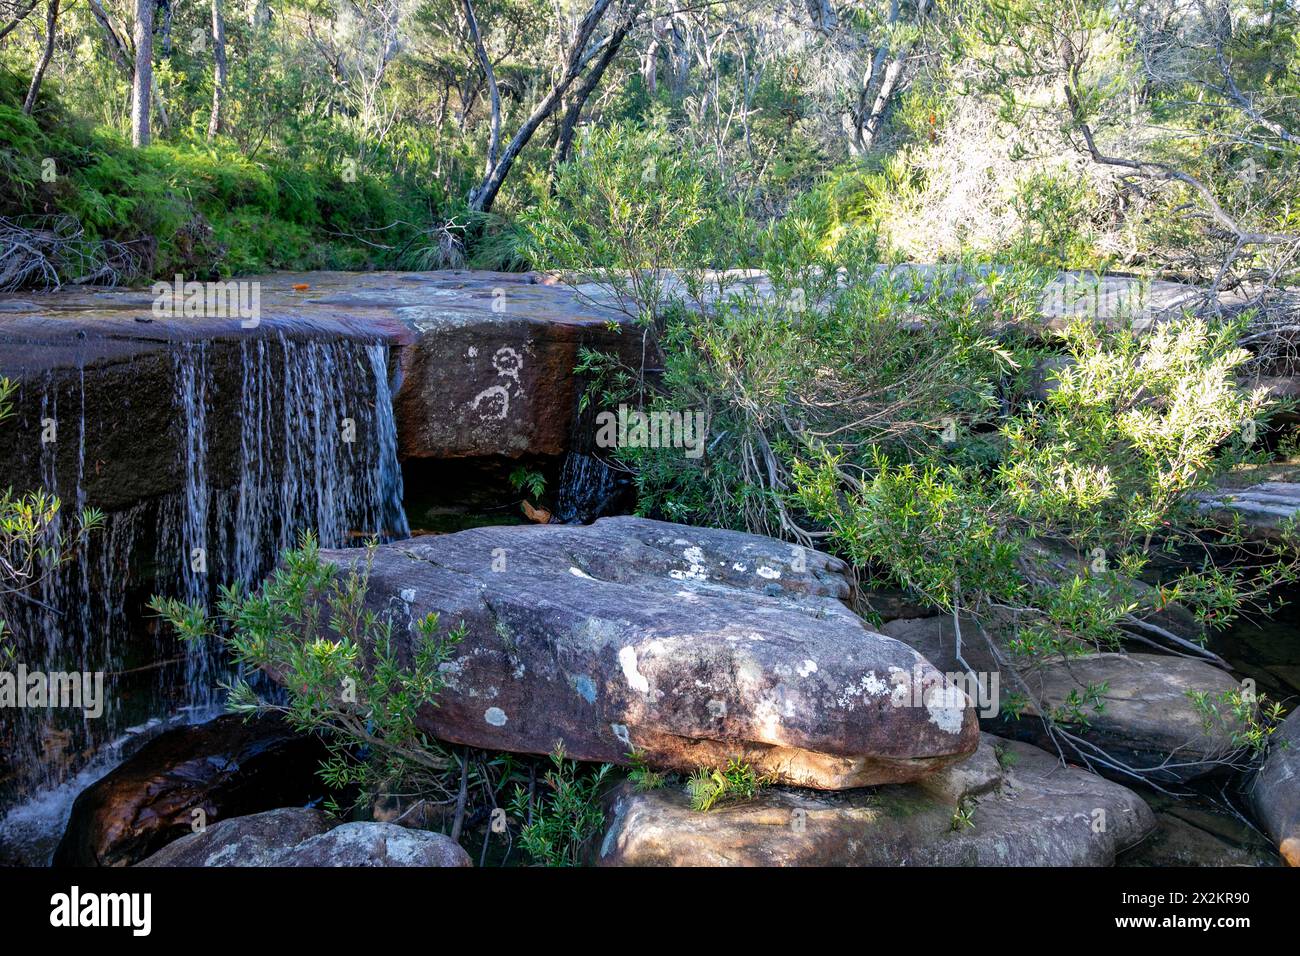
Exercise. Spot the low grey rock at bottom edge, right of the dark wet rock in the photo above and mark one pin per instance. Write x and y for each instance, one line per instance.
(306, 838)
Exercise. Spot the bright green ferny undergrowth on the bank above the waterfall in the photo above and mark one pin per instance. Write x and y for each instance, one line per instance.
(206, 211)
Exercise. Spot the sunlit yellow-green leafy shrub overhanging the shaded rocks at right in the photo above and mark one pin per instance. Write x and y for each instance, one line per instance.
(1086, 492)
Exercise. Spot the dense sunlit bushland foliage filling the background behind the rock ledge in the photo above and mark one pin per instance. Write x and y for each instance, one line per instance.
(1058, 135)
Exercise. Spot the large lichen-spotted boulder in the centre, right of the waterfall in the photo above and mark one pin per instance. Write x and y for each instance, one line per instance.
(691, 646)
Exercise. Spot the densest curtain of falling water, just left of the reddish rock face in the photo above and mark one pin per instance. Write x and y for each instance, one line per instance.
(318, 452)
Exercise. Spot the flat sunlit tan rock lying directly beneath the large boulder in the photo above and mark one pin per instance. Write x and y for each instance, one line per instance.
(1028, 811)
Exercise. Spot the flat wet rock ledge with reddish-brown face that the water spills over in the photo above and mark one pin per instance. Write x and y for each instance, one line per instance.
(484, 362)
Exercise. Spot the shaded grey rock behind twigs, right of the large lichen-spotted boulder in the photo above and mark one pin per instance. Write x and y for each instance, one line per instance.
(1150, 719)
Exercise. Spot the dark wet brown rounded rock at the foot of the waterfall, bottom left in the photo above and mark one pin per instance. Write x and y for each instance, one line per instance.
(226, 768)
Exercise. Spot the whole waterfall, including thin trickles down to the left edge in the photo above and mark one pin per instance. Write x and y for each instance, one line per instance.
(274, 436)
